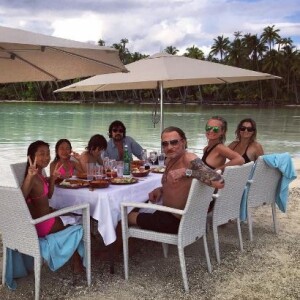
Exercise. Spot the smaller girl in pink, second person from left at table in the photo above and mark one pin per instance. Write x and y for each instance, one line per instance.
(62, 162)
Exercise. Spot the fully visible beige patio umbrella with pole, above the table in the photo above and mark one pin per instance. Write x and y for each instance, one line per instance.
(166, 71)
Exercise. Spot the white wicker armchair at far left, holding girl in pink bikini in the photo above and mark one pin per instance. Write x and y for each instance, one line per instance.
(19, 233)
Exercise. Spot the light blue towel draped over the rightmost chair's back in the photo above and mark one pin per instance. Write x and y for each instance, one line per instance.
(283, 162)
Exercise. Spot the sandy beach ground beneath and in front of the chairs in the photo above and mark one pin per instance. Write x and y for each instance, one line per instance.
(268, 268)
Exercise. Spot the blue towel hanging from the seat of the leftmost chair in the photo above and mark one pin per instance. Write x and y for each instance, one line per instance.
(56, 248)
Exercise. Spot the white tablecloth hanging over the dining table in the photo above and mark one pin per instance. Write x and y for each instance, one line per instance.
(105, 203)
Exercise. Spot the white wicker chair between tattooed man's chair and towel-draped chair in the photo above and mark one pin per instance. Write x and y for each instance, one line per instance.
(228, 199)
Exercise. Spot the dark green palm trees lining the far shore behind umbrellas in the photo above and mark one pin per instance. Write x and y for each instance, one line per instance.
(267, 52)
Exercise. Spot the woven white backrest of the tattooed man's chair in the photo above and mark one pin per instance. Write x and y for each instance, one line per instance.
(193, 222)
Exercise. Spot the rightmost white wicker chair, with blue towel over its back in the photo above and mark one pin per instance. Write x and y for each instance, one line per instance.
(262, 190)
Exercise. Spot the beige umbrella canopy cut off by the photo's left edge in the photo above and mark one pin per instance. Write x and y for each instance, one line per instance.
(27, 56)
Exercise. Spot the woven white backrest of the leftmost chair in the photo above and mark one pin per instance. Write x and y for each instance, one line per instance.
(15, 227)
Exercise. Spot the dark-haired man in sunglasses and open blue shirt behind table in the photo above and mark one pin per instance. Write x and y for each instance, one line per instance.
(118, 139)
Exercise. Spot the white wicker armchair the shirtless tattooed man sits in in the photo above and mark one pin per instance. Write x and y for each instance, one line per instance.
(192, 226)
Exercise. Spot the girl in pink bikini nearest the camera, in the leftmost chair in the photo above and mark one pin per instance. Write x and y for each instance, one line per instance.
(37, 191)
